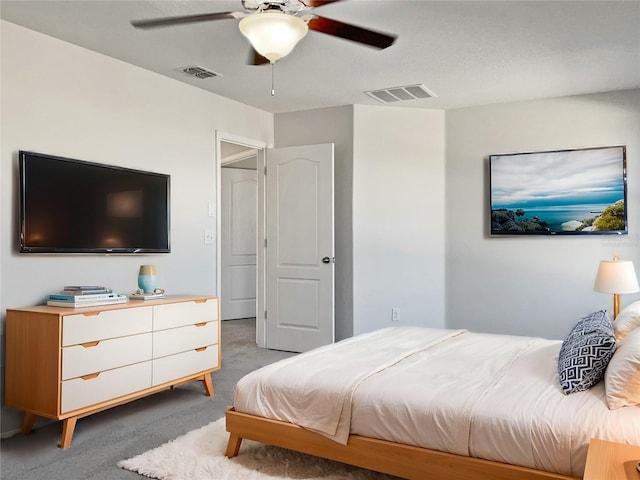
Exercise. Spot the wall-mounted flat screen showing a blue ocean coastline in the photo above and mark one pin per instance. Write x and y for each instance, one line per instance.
(561, 192)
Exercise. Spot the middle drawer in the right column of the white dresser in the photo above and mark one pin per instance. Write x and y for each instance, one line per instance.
(181, 339)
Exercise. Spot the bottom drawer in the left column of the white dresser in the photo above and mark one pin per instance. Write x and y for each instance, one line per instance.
(79, 392)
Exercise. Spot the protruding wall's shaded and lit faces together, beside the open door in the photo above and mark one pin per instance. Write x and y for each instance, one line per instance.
(389, 184)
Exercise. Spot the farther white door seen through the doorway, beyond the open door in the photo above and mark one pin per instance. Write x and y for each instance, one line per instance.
(239, 203)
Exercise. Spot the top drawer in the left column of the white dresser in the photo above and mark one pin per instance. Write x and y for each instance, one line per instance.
(81, 328)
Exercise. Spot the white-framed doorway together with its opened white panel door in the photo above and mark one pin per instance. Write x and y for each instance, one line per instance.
(291, 246)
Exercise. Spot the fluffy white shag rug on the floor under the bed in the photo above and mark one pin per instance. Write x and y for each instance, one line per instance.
(199, 455)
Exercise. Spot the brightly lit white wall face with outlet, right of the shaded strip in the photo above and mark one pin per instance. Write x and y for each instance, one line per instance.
(398, 217)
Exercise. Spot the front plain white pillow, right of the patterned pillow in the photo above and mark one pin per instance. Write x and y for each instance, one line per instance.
(622, 377)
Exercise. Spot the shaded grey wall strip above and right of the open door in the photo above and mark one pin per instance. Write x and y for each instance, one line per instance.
(331, 125)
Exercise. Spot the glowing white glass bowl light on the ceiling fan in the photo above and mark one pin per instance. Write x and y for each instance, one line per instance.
(273, 34)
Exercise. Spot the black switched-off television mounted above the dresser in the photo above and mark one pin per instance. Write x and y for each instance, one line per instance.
(75, 206)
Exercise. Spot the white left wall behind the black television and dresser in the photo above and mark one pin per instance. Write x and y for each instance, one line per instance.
(64, 100)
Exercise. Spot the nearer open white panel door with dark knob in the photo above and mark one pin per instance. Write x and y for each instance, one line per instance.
(299, 280)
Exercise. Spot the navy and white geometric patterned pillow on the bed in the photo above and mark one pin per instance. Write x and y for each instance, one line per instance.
(586, 352)
